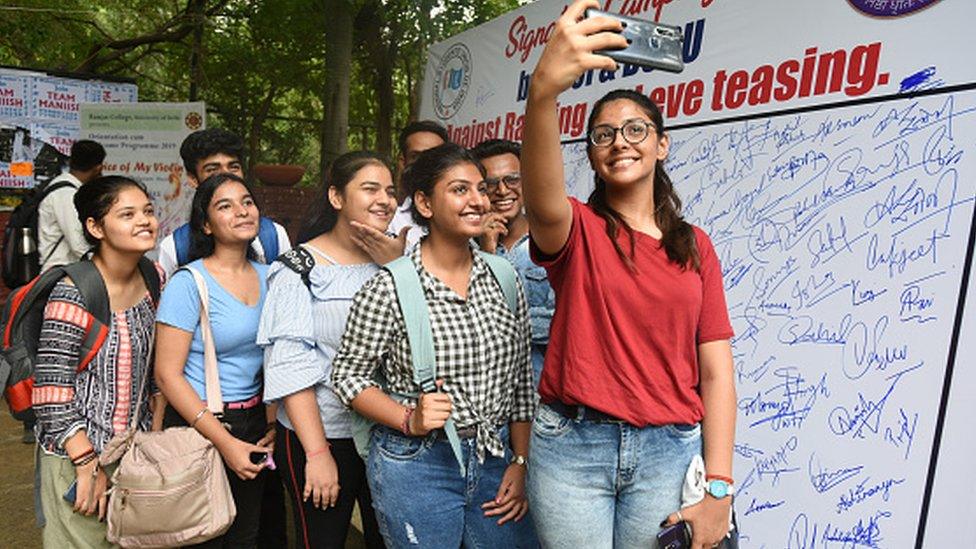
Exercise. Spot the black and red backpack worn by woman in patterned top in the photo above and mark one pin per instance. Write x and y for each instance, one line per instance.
(23, 314)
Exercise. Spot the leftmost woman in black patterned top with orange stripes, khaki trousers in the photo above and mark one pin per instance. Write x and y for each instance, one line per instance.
(78, 412)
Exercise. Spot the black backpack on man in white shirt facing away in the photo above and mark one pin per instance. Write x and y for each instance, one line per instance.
(20, 259)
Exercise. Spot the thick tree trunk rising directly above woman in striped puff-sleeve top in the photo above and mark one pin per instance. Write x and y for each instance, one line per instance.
(335, 93)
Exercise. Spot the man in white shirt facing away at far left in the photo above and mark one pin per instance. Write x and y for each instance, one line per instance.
(60, 238)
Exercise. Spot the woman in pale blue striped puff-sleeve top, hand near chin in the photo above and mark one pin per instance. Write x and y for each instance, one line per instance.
(310, 291)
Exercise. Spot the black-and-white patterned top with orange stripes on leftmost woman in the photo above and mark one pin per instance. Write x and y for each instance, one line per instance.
(101, 398)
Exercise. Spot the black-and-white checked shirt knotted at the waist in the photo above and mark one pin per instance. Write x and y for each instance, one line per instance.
(481, 348)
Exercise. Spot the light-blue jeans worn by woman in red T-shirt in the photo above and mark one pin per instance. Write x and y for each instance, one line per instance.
(605, 485)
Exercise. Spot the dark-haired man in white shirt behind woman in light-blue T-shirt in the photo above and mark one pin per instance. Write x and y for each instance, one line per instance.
(205, 153)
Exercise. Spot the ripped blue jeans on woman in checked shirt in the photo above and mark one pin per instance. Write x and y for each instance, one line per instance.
(421, 499)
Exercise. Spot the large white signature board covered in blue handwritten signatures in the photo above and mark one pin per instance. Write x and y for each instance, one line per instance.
(828, 151)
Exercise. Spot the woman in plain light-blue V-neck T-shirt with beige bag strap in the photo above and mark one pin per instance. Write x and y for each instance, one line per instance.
(223, 222)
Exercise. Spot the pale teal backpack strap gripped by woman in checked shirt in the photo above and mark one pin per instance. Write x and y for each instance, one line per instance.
(413, 305)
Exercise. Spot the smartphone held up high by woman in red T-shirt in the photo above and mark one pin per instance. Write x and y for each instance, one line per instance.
(650, 44)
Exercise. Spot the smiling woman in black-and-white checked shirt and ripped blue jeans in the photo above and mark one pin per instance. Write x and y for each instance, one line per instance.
(429, 487)
